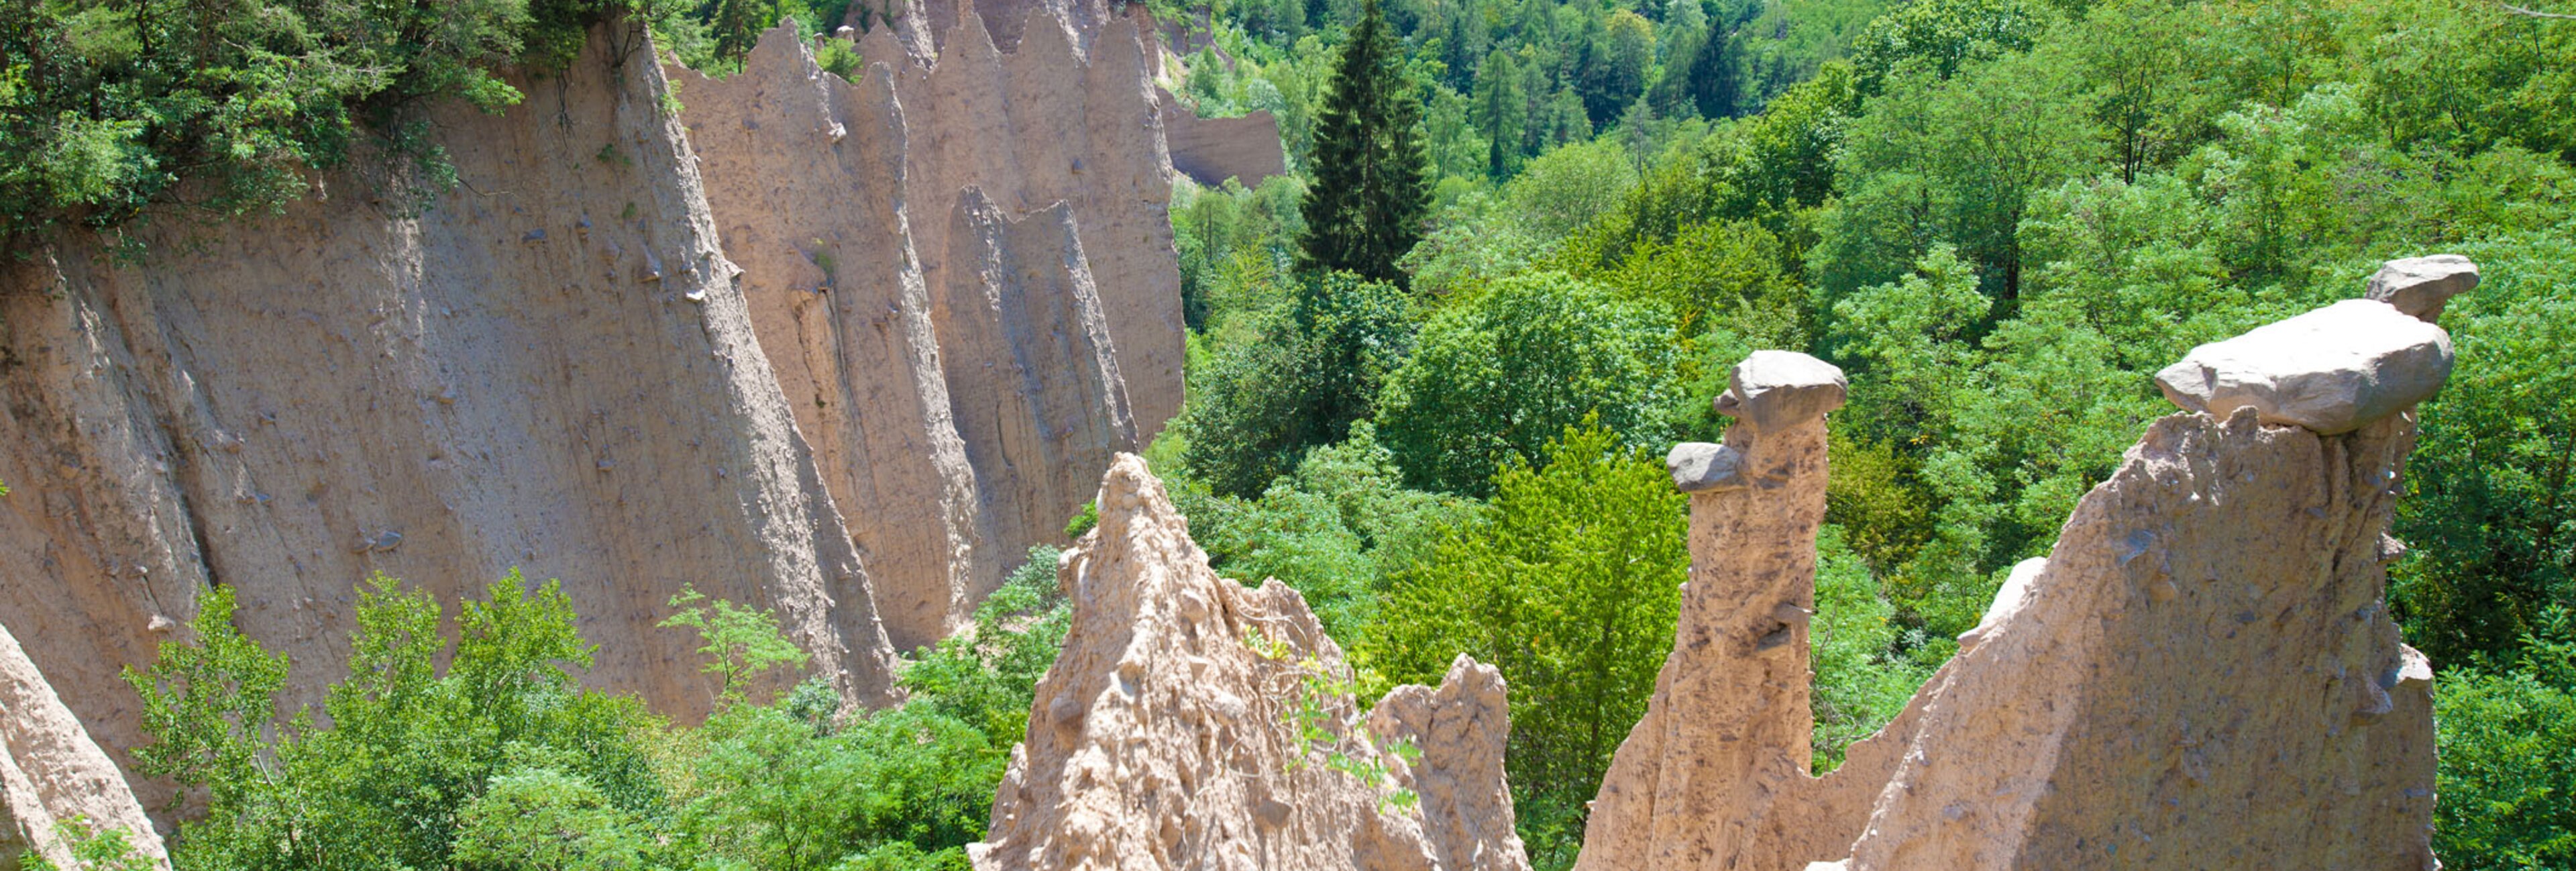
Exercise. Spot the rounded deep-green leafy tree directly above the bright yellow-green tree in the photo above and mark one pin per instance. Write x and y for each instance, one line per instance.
(1498, 378)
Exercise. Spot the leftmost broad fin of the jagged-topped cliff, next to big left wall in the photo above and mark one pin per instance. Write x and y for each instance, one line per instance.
(805, 174)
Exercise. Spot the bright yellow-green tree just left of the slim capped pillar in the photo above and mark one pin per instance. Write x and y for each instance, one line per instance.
(1567, 586)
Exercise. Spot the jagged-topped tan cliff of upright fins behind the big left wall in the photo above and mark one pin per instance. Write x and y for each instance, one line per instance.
(965, 282)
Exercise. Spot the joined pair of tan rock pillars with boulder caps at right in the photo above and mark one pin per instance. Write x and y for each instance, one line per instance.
(2199, 676)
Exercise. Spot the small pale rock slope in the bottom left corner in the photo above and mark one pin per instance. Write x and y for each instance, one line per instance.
(53, 772)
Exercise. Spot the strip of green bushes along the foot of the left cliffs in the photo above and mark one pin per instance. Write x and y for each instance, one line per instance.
(504, 761)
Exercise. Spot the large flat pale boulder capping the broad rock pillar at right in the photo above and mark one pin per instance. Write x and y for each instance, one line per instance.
(2333, 370)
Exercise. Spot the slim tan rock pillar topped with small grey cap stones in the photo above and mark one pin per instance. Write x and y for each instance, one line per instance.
(1717, 774)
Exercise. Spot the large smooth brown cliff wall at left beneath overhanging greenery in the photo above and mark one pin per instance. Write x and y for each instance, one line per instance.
(547, 370)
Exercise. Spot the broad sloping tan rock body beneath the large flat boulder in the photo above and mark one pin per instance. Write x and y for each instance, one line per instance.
(2201, 676)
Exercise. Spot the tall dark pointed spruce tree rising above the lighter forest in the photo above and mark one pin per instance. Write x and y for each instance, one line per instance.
(1369, 171)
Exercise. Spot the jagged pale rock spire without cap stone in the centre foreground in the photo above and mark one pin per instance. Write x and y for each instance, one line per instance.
(1168, 733)
